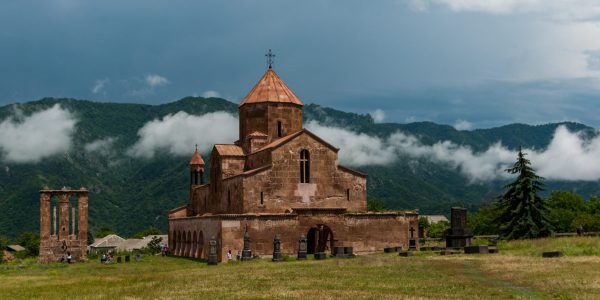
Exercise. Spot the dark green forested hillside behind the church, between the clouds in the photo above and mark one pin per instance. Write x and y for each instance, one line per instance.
(129, 194)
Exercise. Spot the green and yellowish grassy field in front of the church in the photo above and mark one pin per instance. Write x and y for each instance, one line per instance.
(517, 272)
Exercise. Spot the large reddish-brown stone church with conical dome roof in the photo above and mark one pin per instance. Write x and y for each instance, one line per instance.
(280, 179)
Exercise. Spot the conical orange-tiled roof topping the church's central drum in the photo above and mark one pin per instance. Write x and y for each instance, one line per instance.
(270, 88)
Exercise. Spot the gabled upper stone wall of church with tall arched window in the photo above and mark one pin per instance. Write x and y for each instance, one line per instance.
(280, 185)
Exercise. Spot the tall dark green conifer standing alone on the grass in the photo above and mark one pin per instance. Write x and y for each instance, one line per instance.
(523, 211)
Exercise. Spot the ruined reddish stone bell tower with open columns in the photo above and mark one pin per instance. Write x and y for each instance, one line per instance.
(66, 232)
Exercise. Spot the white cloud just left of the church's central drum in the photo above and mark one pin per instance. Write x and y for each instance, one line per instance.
(178, 133)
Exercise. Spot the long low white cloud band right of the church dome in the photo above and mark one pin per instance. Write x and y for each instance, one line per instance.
(568, 157)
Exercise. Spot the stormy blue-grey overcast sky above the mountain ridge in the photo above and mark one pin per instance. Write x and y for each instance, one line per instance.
(464, 62)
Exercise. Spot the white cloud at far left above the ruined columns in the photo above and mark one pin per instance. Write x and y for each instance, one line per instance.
(37, 136)
